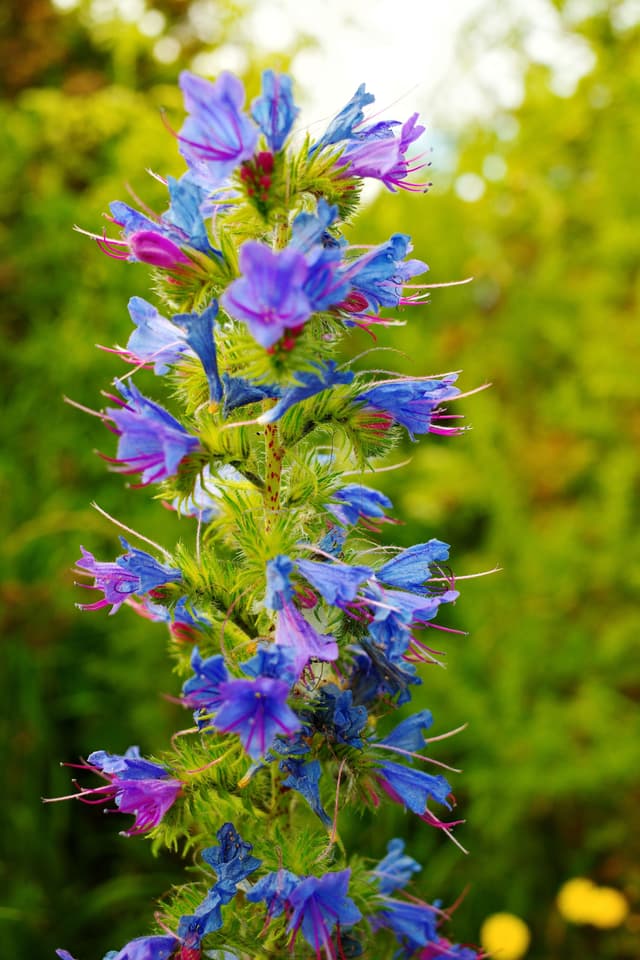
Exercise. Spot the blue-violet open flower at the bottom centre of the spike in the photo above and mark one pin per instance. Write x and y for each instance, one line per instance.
(318, 903)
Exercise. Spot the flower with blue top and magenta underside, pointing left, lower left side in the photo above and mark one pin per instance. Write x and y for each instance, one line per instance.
(136, 786)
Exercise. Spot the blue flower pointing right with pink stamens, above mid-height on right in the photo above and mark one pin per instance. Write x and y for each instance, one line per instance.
(413, 403)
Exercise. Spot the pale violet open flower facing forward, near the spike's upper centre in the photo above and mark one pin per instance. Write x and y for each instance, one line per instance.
(269, 296)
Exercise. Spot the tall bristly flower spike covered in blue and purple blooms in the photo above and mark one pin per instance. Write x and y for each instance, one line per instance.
(293, 641)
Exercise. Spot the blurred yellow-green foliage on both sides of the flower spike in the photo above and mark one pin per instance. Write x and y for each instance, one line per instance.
(547, 485)
